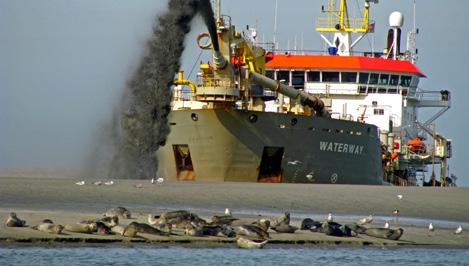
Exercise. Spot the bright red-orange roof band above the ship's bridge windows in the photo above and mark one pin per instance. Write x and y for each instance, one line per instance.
(334, 62)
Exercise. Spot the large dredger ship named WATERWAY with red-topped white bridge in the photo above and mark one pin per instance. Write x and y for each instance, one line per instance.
(264, 115)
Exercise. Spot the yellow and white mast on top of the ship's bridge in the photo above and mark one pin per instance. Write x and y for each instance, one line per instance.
(339, 23)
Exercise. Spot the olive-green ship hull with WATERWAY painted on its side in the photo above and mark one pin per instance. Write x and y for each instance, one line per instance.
(250, 146)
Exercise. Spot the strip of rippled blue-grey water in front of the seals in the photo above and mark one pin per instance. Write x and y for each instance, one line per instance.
(177, 255)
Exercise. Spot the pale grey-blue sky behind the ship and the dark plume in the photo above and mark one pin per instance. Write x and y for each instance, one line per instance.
(64, 64)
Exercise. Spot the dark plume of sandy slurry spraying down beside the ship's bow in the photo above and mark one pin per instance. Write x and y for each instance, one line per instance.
(143, 123)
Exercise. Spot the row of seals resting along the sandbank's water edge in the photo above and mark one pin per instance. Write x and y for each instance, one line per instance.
(249, 234)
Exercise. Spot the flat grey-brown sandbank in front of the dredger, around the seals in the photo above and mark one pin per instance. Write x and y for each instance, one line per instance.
(60, 199)
